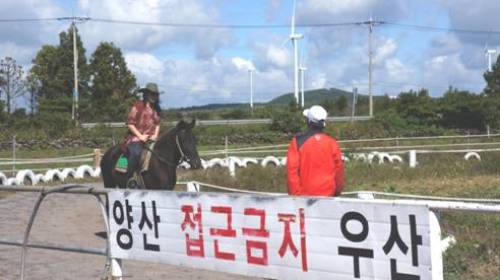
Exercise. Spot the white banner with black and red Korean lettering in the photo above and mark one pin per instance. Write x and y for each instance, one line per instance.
(273, 237)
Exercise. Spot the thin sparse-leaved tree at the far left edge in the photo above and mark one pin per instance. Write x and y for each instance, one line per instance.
(12, 85)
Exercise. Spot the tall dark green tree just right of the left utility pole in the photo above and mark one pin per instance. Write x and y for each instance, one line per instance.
(113, 85)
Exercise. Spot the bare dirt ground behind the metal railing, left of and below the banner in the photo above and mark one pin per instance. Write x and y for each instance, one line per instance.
(71, 220)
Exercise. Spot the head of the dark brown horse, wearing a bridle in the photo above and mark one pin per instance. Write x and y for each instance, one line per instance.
(187, 143)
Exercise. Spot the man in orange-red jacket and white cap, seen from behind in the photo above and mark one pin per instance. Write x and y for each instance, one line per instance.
(314, 159)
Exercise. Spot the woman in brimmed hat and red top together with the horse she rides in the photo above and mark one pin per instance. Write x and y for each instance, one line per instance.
(177, 145)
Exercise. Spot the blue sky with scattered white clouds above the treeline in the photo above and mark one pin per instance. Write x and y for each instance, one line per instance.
(197, 66)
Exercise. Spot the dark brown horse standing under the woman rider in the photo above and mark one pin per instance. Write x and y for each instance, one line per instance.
(171, 148)
